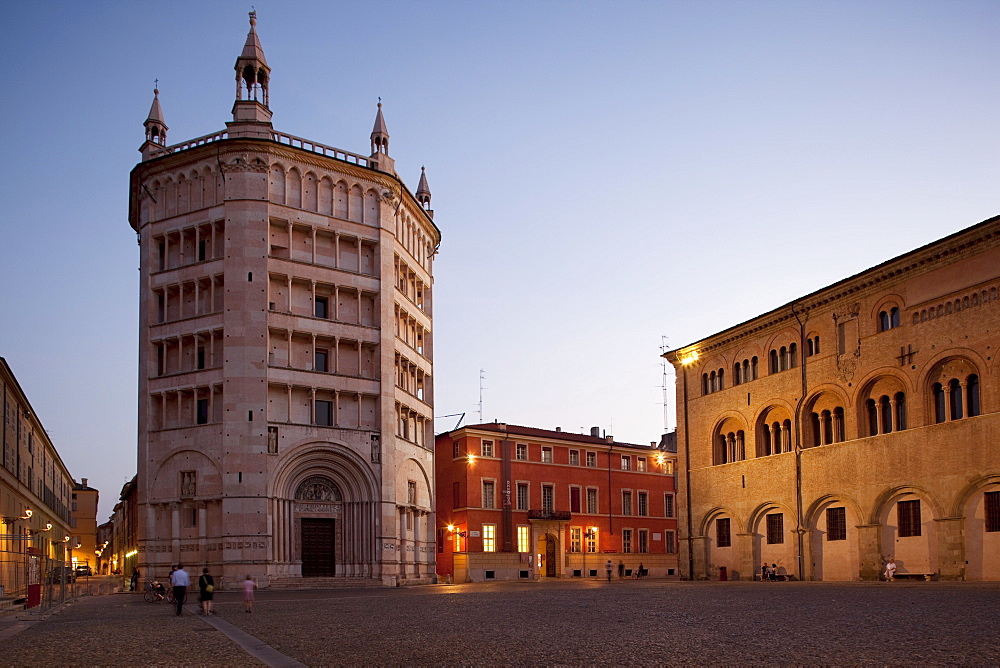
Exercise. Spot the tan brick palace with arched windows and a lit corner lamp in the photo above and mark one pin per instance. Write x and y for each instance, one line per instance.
(854, 425)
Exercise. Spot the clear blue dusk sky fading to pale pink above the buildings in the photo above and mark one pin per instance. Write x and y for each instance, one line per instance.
(604, 174)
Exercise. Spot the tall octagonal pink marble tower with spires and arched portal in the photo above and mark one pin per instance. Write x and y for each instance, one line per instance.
(285, 356)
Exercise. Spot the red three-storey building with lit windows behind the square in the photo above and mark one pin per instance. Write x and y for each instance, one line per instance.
(523, 503)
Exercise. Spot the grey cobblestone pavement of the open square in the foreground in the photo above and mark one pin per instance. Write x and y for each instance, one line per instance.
(553, 623)
